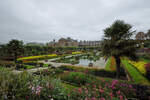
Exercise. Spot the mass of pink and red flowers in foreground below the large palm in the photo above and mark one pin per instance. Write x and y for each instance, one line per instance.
(105, 91)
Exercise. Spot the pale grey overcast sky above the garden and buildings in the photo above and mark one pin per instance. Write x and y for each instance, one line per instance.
(44, 20)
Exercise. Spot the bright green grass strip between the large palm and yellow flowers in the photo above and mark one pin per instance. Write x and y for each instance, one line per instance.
(134, 73)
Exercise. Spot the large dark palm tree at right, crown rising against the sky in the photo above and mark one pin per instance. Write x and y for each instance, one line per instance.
(118, 43)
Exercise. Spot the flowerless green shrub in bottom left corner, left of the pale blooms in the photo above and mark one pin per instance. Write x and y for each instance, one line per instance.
(14, 86)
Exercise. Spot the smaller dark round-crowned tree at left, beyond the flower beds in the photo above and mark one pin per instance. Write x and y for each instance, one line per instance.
(15, 48)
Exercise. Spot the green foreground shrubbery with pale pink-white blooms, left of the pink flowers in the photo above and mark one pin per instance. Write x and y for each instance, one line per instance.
(27, 87)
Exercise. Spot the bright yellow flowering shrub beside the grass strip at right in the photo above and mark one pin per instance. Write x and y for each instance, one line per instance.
(140, 65)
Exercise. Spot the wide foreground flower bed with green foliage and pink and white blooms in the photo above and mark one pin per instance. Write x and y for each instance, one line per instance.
(25, 86)
